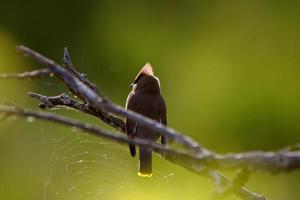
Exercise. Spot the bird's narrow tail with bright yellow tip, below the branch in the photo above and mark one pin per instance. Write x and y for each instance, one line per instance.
(145, 164)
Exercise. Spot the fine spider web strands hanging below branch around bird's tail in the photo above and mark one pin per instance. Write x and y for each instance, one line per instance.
(84, 167)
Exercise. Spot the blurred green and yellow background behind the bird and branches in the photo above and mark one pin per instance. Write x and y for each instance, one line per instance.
(229, 72)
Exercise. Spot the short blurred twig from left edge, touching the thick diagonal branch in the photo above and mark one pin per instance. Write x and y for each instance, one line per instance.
(27, 75)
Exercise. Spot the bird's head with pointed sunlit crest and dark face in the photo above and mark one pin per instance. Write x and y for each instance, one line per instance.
(145, 80)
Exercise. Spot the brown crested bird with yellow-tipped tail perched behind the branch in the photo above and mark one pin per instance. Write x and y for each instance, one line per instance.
(145, 99)
